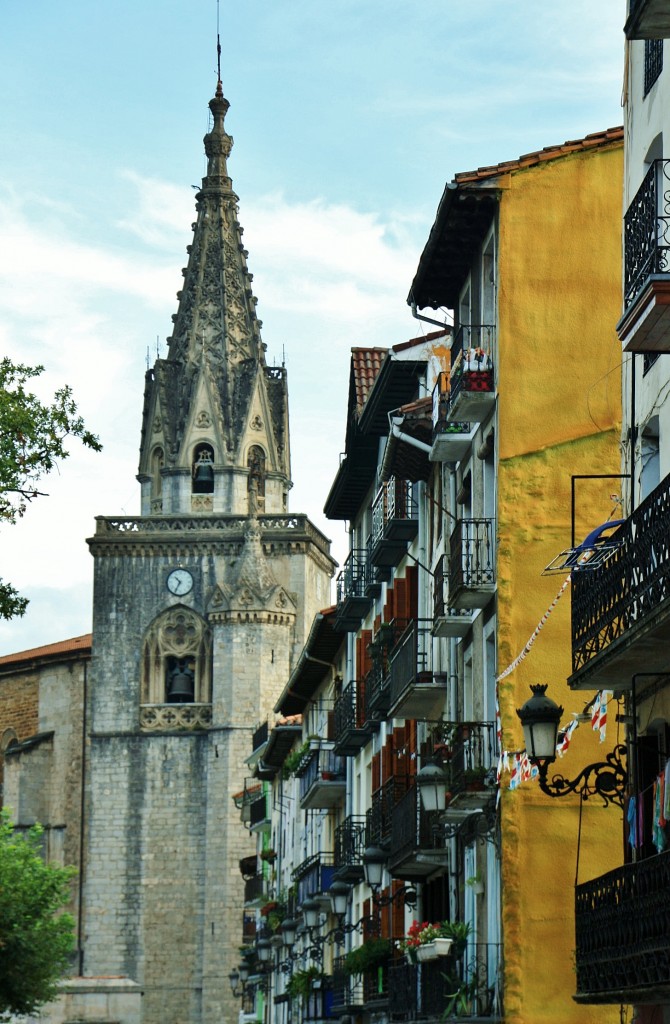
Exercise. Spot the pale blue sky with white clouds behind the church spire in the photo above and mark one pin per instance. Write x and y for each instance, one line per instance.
(349, 118)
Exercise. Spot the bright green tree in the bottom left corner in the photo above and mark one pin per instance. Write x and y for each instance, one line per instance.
(35, 938)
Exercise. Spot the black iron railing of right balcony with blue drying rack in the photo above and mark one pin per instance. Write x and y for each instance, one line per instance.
(630, 586)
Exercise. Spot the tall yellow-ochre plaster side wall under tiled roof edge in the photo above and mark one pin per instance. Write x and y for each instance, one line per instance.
(559, 407)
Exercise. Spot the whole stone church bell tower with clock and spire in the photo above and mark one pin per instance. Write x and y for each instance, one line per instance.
(201, 607)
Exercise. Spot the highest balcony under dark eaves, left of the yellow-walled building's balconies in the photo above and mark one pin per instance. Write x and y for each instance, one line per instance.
(395, 523)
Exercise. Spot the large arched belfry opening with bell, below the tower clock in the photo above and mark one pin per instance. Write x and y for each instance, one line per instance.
(177, 660)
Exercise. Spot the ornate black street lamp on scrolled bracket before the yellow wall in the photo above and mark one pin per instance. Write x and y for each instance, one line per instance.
(540, 717)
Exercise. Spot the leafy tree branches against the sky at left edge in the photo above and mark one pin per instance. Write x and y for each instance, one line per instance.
(32, 441)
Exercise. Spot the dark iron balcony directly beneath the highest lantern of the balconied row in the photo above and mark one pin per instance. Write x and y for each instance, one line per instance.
(414, 852)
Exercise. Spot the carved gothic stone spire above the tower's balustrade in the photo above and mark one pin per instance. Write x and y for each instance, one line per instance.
(215, 393)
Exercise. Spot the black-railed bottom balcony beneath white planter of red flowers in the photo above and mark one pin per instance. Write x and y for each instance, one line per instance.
(469, 989)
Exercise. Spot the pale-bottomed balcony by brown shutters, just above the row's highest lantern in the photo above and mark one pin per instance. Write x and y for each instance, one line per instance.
(416, 692)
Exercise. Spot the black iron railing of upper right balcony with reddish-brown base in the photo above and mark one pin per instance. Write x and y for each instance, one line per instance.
(647, 231)
